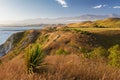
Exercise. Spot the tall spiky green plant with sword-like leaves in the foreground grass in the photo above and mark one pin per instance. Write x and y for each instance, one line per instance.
(33, 58)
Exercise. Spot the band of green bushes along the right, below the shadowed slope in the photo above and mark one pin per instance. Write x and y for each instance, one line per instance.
(112, 55)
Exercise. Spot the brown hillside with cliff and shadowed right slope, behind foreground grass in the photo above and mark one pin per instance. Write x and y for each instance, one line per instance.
(53, 39)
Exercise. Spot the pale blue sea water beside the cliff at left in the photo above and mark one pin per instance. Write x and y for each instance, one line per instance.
(6, 32)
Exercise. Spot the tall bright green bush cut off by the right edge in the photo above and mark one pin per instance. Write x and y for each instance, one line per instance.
(114, 57)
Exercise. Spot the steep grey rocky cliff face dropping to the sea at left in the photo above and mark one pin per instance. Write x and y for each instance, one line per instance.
(15, 42)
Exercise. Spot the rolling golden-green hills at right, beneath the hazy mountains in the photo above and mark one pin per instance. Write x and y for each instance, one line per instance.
(108, 23)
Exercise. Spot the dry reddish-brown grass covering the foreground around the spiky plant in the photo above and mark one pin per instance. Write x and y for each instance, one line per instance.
(70, 67)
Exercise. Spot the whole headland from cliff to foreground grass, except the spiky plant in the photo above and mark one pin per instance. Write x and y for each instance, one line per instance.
(71, 54)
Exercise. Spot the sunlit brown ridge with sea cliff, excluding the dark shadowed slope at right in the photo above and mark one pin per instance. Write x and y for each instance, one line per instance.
(51, 40)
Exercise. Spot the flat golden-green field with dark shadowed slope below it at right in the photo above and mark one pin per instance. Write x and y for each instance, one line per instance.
(106, 37)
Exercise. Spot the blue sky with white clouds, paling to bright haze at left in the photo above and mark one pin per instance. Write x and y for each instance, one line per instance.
(30, 9)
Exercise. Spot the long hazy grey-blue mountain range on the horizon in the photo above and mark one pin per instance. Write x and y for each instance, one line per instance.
(63, 20)
